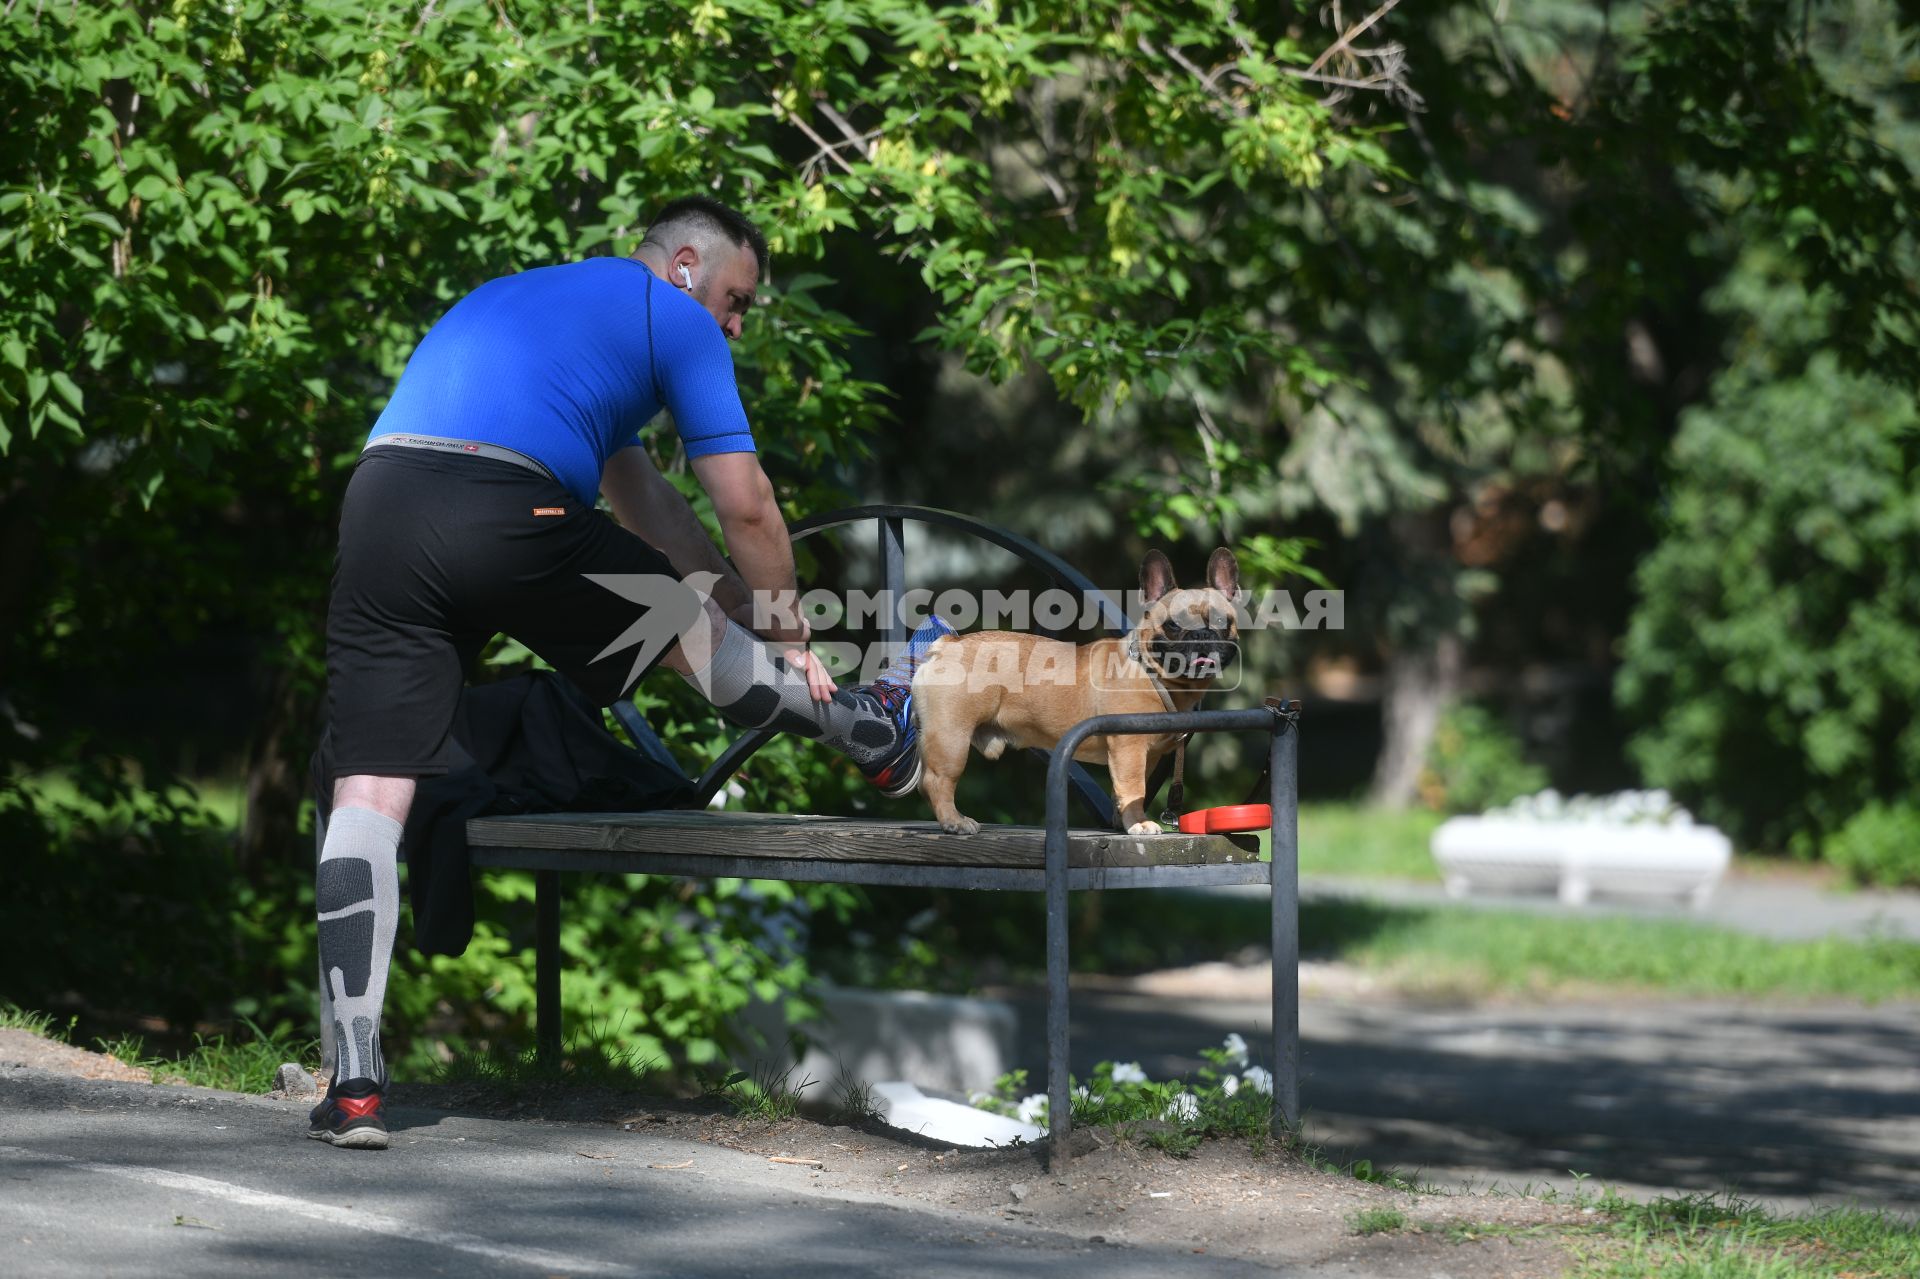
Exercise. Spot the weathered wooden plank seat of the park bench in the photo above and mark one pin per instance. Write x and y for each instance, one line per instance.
(821, 838)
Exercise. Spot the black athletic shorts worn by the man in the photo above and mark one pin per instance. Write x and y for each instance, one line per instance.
(439, 554)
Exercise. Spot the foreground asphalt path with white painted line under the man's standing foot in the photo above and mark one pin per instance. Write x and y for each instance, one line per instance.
(132, 1180)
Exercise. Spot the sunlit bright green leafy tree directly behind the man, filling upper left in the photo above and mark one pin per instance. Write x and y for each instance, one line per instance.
(228, 226)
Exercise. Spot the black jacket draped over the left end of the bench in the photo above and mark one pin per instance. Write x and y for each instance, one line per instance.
(529, 744)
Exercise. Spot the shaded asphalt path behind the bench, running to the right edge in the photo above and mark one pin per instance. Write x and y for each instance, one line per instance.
(1788, 1105)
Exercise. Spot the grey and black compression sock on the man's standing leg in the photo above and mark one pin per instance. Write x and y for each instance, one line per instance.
(358, 900)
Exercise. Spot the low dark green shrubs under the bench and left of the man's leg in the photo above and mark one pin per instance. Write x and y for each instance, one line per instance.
(669, 967)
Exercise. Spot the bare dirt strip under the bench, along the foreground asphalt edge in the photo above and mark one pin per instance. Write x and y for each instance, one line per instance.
(1270, 1209)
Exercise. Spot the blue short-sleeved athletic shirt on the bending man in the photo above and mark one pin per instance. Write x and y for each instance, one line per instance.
(567, 364)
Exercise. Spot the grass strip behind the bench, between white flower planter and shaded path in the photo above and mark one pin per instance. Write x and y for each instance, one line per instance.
(1449, 952)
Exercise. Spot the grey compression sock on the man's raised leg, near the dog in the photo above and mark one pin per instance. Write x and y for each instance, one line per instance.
(750, 685)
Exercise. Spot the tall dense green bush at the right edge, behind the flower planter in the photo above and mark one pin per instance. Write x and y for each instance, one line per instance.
(1771, 658)
